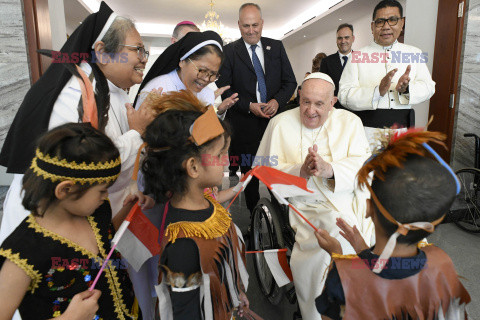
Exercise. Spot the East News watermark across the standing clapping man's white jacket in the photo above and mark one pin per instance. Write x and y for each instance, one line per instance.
(394, 56)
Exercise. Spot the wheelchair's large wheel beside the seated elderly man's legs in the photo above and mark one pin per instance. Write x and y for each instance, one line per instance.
(266, 234)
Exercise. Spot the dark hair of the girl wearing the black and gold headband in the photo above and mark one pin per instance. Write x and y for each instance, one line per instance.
(78, 142)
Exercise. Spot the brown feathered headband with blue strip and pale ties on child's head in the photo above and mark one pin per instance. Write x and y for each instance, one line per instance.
(393, 154)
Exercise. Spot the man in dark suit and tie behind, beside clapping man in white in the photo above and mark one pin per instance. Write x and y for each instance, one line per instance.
(333, 64)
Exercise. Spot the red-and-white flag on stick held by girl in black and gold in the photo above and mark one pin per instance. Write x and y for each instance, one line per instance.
(137, 238)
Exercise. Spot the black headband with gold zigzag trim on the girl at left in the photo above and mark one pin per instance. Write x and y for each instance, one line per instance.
(55, 169)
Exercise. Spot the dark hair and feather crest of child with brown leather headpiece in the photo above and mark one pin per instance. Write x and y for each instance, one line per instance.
(168, 145)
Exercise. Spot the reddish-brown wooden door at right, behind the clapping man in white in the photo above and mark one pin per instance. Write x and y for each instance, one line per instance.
(446, 66)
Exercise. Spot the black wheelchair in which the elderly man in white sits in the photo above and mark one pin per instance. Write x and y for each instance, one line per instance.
(270, 229)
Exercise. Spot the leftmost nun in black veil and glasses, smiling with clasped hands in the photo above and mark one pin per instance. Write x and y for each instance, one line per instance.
(117, 59)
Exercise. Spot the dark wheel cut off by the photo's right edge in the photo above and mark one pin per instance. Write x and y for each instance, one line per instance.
(465, 211)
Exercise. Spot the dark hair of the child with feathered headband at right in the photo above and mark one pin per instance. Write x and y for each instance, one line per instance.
(422, 190)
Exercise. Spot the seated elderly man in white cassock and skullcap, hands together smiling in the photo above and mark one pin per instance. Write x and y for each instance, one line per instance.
(326, 146)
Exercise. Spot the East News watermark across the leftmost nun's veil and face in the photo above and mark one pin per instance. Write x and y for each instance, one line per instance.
(93, 57)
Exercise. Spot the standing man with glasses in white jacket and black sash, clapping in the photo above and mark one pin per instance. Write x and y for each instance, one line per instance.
(384, 79)
